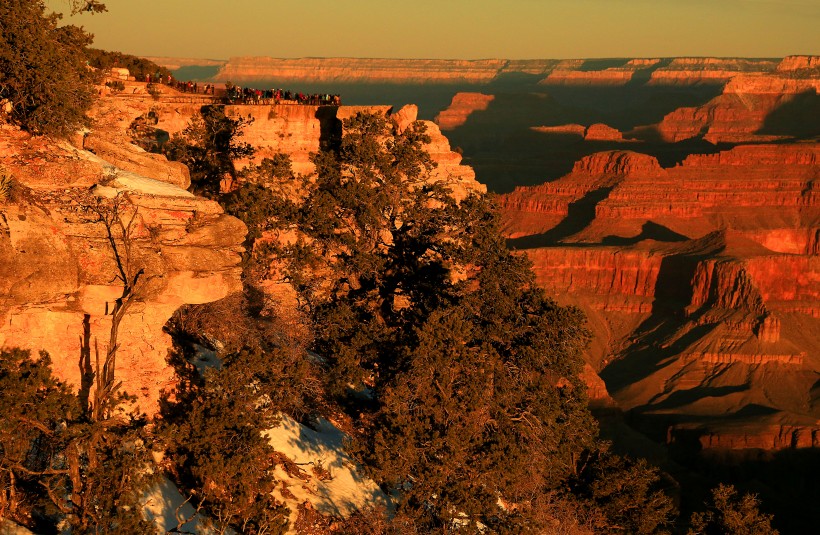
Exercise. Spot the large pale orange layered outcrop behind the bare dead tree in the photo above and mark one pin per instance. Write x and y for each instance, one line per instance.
(58, 266)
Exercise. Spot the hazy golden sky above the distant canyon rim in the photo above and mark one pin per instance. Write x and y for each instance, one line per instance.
(461, 29)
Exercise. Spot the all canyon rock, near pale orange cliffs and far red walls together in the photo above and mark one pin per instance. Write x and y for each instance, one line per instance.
(674, 201)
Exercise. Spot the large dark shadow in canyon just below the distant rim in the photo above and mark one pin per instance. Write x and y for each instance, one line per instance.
(501, 146)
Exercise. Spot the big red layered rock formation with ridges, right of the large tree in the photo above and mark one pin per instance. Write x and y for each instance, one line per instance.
(701, 282)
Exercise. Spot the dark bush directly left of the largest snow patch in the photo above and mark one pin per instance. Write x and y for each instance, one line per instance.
(214, 441)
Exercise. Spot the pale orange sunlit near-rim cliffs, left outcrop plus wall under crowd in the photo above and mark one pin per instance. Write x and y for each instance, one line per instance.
(58, 268)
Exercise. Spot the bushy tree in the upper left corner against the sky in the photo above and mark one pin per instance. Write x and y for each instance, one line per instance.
(42, 69)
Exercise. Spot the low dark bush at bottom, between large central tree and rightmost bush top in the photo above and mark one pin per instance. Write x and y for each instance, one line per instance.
(624, 496)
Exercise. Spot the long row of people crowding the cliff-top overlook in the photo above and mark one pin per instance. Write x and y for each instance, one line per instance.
(234, 94)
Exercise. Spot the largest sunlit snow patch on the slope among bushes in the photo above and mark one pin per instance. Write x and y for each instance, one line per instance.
(344, 491)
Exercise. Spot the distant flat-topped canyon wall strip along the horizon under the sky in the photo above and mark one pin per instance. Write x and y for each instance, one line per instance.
(655, 71)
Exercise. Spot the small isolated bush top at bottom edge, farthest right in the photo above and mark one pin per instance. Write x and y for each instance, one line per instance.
(728, 514)
